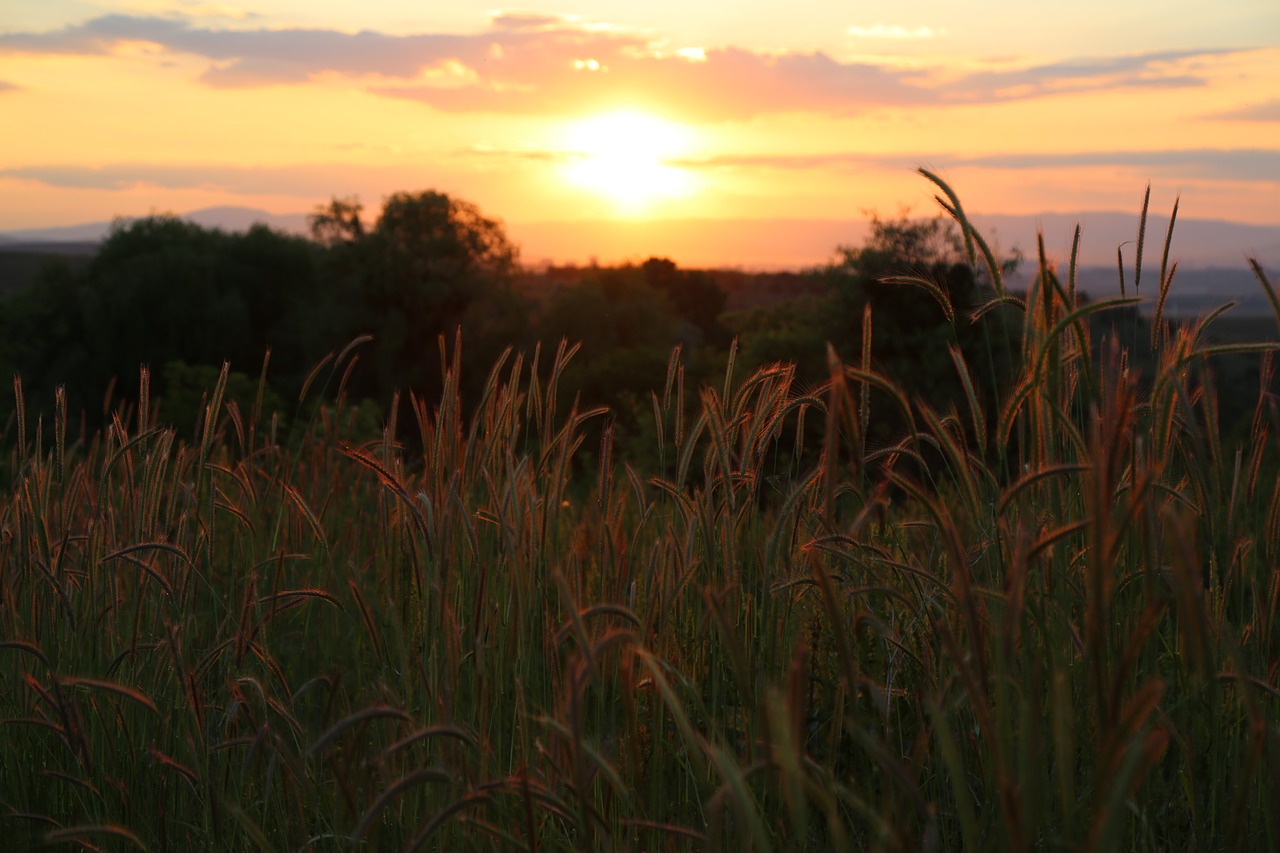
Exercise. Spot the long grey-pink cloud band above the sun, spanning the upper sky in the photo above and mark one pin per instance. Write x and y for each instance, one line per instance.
(546, 65)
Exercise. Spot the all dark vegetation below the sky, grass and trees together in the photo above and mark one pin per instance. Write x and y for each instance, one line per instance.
(989, 572)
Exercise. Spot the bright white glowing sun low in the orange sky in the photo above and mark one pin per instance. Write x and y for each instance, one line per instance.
(625, 157)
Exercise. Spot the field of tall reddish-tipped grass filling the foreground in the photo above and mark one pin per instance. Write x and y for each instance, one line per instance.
(1052, 627)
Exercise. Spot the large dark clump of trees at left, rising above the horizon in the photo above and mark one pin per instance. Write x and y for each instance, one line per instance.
(164, 290)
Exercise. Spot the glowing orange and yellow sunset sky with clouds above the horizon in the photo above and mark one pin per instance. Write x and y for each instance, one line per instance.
(568, 111)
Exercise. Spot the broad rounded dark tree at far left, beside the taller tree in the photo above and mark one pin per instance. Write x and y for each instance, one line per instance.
(164, 290)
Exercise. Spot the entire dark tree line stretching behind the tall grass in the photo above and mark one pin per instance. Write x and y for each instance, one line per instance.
(184, 299)
